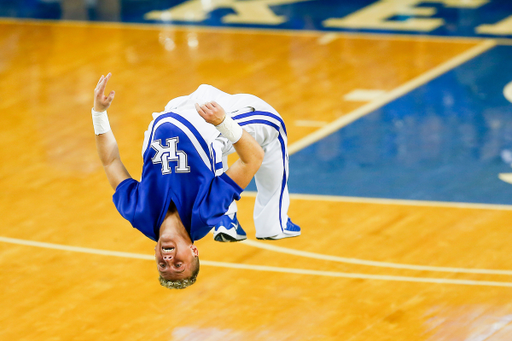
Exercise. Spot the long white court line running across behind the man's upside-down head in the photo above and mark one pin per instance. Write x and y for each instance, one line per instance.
(261, 267)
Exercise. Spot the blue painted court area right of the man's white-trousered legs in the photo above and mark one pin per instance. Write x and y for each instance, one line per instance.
(445, 141)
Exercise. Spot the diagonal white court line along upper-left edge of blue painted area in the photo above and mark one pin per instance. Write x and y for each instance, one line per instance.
(390, 96)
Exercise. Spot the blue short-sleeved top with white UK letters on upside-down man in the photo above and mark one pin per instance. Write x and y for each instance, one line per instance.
(178, 167)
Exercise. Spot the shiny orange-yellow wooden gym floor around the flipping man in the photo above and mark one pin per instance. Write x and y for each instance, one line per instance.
(72, 269)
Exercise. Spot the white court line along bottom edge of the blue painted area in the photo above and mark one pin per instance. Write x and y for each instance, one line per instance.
(385, 201)
